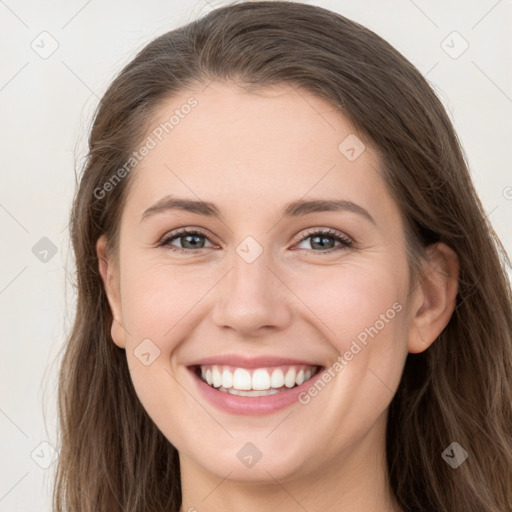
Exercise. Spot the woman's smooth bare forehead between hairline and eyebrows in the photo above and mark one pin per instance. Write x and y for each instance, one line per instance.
(248, 149)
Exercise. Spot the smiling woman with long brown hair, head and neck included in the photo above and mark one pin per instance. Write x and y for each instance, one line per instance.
(289, 296)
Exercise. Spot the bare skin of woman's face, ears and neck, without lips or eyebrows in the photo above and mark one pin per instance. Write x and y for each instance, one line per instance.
(251, 154)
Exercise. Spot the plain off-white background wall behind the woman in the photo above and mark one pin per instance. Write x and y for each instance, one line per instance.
(46, 102)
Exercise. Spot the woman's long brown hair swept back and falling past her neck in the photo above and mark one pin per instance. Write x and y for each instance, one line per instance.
(112, 456)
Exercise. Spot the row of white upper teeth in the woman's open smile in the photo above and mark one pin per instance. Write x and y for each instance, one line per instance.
(257, 382)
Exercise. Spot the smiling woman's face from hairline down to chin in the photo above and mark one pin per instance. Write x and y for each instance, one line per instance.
(261, 289)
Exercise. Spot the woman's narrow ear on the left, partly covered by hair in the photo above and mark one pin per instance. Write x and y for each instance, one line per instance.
(110, 278)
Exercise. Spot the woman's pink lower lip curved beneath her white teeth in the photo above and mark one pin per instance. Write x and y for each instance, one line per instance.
(252, 406)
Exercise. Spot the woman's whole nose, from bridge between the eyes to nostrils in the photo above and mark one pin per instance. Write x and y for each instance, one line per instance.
(252, 296)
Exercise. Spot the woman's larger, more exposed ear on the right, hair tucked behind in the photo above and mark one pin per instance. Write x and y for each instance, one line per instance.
(434, 298)
